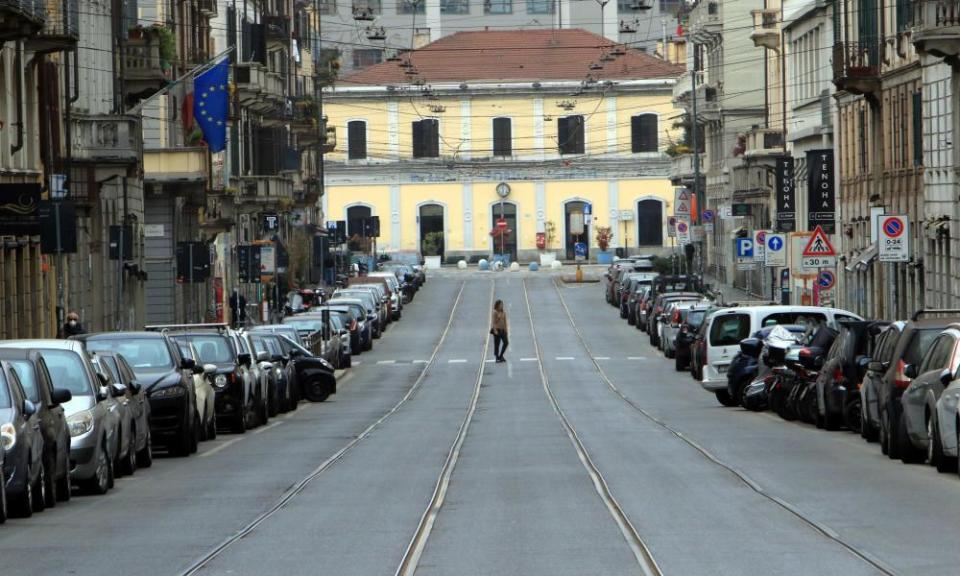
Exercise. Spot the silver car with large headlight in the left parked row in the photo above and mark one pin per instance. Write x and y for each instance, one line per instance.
(92, 414)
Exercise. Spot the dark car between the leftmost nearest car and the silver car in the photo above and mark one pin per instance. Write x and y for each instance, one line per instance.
(37, 384)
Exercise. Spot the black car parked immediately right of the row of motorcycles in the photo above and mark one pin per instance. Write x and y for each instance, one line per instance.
(845, 365)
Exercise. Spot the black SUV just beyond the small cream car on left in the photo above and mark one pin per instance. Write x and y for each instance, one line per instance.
(238, 402)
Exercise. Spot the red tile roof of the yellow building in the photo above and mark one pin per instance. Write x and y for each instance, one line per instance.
(515, 55)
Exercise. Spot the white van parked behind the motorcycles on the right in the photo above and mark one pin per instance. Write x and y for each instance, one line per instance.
(728, 326)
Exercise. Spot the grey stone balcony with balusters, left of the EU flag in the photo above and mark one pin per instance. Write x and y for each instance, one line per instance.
(106, 139)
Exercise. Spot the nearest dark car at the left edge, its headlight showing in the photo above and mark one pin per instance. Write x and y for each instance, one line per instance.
(22, 444)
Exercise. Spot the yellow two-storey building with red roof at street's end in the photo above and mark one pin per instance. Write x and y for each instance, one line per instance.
(527, 125)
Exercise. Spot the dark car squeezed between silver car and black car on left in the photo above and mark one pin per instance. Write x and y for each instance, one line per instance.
(134, 398)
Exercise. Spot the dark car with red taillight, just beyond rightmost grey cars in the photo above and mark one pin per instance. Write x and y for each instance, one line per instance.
(915, 338)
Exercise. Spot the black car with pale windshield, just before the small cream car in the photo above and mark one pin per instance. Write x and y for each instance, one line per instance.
(167, 379)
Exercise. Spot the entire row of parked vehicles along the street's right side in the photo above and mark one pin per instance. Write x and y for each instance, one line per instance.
(895, 383)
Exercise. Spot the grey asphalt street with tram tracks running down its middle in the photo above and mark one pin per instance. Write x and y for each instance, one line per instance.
(584, 454)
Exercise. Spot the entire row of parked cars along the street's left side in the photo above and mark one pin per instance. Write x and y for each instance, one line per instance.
(76, 414)
